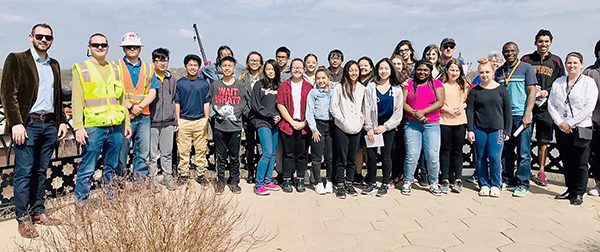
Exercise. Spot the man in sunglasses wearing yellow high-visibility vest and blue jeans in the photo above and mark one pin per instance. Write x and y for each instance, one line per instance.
(100, 118)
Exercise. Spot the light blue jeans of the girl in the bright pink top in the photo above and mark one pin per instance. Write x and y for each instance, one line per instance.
(426, 136)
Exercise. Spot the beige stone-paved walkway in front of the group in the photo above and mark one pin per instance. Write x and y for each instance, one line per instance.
(421, 222)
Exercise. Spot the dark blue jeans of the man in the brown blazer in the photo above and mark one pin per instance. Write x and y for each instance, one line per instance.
(31, 163)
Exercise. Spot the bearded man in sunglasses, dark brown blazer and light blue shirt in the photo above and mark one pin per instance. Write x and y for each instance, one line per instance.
(30, 93)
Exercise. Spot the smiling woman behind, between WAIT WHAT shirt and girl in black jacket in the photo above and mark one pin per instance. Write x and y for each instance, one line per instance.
(250, 76)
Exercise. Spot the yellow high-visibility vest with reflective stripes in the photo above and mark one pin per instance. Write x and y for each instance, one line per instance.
(102, 105)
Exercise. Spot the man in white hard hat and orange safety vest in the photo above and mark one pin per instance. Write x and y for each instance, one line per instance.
(140, 85)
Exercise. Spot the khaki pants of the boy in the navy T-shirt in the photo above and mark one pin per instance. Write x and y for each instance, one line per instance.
(197, 131)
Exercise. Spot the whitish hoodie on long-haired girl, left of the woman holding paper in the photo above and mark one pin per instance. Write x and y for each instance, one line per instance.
(347, 114)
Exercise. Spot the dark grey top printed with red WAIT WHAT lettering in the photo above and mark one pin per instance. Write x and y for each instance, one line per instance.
(230, 103)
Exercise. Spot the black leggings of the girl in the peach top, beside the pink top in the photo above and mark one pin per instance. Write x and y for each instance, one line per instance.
(451, 160)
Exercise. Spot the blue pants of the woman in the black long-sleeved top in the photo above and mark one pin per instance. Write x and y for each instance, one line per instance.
(488, 145)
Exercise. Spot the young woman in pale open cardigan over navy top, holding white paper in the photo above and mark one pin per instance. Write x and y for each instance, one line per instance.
(385, 114)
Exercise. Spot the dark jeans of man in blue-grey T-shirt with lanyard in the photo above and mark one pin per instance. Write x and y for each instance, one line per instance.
(523, 144)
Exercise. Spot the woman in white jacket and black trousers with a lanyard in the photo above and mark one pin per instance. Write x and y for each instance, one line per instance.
(571, 103)
